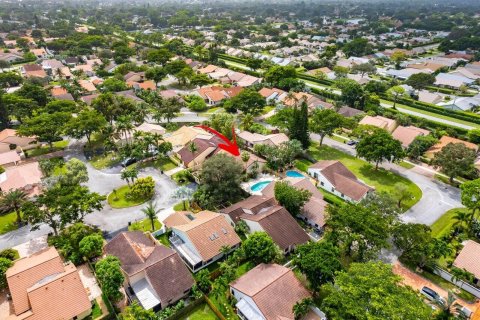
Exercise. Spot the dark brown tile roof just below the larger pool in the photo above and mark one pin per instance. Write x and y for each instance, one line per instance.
(279, 224)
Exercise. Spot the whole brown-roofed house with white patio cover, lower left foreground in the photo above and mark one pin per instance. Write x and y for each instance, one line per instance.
(155, 275)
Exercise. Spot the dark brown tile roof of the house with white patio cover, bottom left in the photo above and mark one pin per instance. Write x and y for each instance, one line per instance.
(163, 267)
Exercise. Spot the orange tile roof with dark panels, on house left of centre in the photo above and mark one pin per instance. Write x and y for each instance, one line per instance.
(200, 230)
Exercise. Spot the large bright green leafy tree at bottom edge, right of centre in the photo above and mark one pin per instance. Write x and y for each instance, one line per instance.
(366, 291)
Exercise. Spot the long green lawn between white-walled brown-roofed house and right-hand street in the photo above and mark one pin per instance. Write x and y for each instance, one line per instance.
(381, 179)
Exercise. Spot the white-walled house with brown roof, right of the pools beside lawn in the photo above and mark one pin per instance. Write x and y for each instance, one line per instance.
(334, 177)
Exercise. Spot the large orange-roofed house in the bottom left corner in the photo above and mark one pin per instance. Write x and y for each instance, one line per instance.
(44, 288)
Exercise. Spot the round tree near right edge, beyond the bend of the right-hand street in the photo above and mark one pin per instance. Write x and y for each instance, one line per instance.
(454, 159)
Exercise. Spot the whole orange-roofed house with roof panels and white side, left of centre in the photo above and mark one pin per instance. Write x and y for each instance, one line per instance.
(200, 241)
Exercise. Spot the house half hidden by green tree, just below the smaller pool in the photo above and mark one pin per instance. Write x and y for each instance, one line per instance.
(313, 212)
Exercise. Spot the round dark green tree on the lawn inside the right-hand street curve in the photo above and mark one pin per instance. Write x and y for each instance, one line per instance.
(380, 146)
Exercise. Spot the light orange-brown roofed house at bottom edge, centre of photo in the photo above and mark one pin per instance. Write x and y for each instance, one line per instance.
(268, 291)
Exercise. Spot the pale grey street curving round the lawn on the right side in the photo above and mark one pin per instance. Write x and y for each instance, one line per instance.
(437, 197)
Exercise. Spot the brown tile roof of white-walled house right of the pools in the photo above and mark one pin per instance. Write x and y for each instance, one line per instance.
(342, 179)
